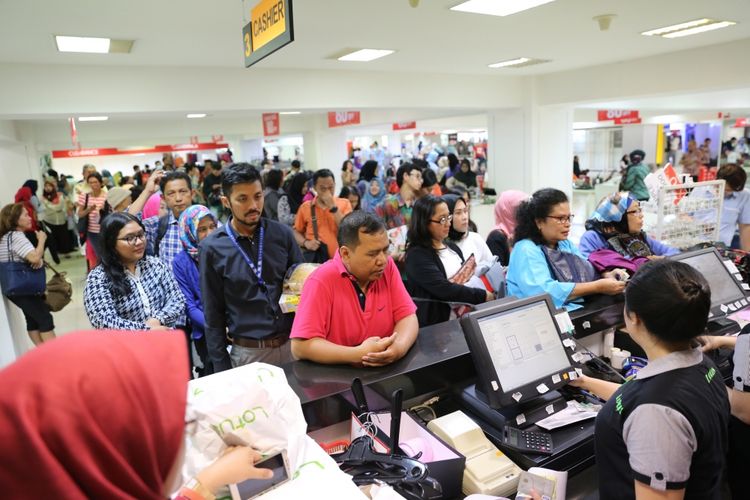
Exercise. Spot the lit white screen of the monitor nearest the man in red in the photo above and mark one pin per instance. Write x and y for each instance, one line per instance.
(523, 344)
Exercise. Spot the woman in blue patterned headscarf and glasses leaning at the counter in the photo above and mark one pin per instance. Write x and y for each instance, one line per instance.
(616, 230)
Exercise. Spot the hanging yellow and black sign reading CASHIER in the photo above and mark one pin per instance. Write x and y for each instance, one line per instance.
(269, 29)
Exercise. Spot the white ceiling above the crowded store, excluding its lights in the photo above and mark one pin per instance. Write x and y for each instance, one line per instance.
(428, 39)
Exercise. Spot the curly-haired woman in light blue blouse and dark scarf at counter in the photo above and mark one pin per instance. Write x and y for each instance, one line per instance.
(543, 260)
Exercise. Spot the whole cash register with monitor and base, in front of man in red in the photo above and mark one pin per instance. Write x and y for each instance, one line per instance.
(521, 362)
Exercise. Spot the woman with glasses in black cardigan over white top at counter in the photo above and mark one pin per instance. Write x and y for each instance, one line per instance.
(435, 267)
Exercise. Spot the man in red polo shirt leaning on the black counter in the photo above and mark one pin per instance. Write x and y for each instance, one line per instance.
(355, 309)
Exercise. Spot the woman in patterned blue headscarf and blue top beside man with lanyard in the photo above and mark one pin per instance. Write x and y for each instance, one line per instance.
(196, 222)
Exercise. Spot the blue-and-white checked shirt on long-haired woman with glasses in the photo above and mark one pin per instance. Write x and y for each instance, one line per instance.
(164, 300)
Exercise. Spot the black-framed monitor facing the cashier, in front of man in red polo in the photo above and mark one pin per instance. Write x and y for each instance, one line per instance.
(517, 350)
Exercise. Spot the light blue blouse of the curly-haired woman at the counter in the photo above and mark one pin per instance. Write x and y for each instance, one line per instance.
(529, 273)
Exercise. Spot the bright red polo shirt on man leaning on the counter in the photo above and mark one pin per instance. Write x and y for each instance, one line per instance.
(329, 307)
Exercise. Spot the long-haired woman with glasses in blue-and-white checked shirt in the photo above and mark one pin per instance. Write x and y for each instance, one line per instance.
(129, 290)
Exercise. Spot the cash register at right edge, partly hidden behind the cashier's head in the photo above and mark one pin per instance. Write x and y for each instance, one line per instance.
(727, 288)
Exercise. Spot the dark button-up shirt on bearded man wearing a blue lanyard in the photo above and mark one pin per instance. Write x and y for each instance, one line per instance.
(232, 298)
